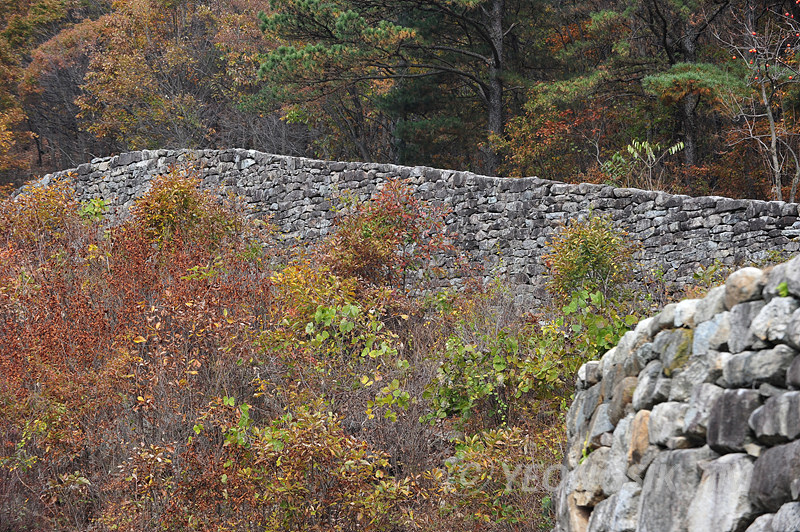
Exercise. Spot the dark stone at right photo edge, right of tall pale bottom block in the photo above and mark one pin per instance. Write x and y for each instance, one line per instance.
(774, 472)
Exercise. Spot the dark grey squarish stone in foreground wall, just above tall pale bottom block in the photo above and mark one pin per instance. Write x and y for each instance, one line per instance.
(724, 436)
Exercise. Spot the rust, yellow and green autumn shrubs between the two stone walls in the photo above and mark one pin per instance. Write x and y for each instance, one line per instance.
(181, 371)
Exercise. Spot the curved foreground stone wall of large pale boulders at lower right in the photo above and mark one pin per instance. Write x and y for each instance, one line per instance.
(692, 422)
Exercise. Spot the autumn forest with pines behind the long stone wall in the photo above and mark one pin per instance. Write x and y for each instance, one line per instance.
(697, 97)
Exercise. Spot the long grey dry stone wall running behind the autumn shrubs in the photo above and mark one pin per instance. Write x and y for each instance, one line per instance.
(501, 223)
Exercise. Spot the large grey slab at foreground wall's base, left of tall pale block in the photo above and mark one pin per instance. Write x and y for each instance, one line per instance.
(669, 488)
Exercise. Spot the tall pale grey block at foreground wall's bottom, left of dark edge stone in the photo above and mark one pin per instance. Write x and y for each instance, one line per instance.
(721, 502)
